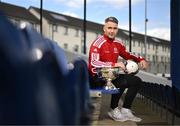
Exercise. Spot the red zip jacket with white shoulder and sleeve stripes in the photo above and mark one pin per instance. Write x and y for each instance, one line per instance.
(104, 52)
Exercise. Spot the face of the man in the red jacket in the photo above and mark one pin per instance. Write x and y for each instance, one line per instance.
(110, 29)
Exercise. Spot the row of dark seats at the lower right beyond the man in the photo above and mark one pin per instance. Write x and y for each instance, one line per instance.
(163, 96)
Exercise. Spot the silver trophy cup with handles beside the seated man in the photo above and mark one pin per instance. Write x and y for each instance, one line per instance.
(109, 74)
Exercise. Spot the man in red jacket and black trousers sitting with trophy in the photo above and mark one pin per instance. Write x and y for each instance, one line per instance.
(104, 52)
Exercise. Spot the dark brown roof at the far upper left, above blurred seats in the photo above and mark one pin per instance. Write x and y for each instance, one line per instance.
(17, 12)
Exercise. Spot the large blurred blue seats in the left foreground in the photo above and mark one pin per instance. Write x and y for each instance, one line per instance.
(36, 86)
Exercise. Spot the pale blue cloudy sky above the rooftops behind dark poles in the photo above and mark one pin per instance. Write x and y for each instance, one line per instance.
(158, 13)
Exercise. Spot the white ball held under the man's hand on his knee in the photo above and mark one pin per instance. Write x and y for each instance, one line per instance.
(131, 67)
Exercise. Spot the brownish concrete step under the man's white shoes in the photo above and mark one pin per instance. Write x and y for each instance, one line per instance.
(140, 108)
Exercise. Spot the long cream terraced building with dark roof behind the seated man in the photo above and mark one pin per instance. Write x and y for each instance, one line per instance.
(67, 31)
